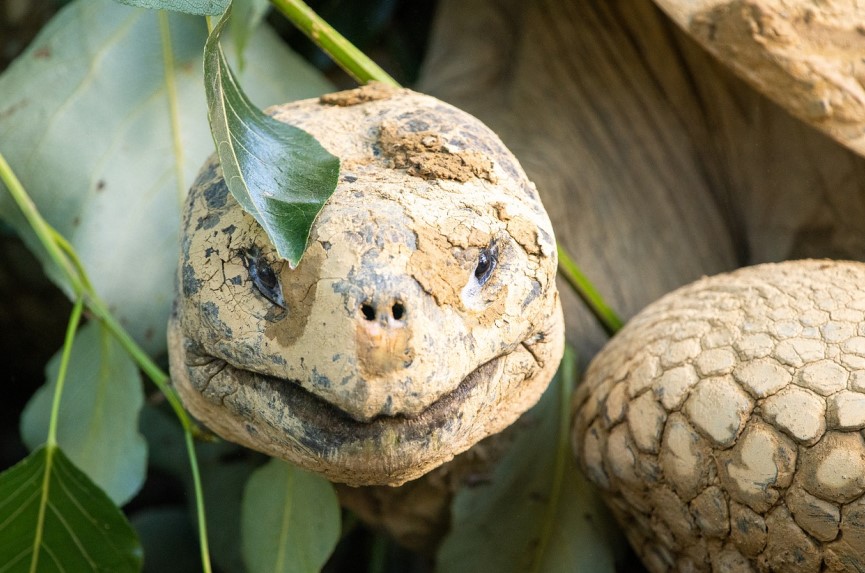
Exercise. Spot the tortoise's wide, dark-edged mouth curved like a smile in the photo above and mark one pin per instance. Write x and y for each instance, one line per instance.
(325, 428)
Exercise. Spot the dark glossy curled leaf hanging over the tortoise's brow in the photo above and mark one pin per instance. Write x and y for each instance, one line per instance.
(278, 173)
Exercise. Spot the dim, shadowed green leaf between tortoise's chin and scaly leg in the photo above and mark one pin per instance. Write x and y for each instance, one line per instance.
(537, 513)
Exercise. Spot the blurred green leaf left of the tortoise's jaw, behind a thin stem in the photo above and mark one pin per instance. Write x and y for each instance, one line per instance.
(98, 419)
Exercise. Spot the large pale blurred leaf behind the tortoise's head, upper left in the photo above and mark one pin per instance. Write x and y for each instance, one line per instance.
(85, 123)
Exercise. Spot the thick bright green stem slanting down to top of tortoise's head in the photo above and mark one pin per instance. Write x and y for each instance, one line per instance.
(344, 53)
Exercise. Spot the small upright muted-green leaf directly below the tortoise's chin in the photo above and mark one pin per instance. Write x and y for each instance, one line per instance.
(290, 520)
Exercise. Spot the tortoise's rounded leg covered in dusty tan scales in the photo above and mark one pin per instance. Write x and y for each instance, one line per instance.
(724, 424)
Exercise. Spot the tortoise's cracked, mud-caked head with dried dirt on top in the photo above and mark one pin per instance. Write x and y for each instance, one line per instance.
(390, 356)
